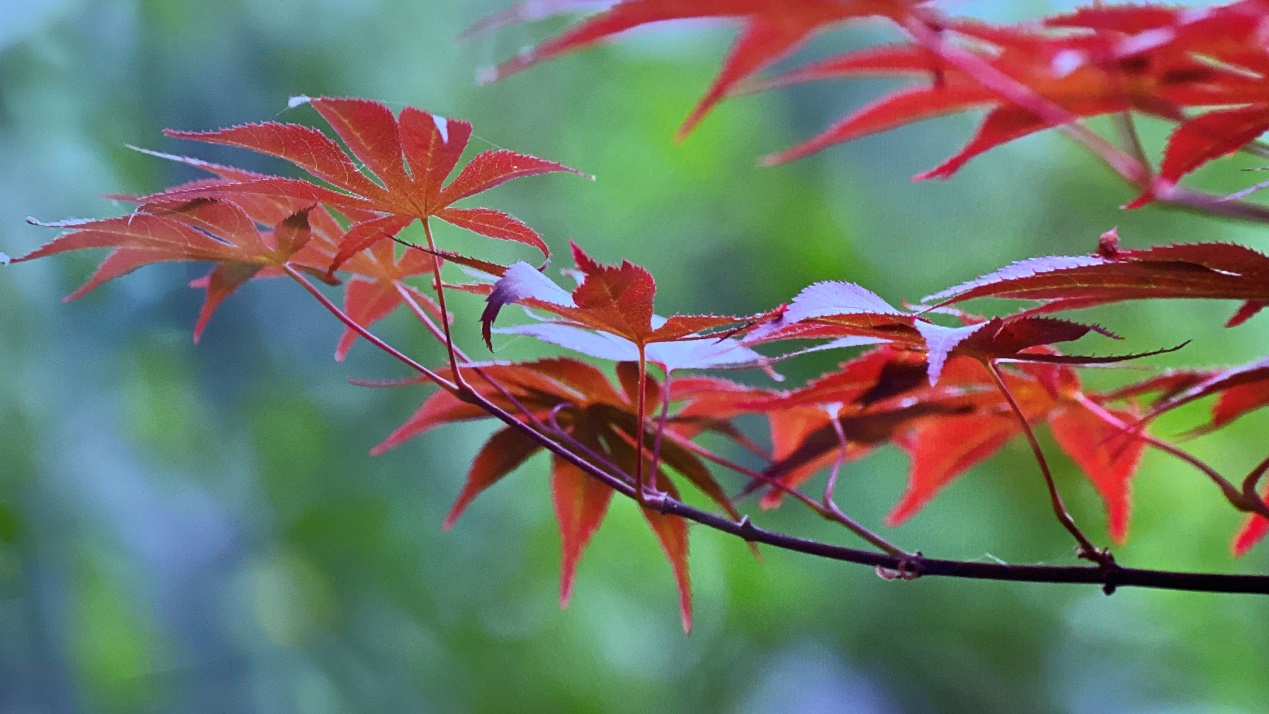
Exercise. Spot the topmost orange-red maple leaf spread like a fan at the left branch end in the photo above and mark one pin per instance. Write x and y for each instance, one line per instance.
(407, 163)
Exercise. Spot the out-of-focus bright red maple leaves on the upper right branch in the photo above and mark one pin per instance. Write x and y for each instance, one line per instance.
(1150, 59)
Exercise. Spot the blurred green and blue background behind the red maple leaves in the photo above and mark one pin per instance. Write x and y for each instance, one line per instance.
(201, 529)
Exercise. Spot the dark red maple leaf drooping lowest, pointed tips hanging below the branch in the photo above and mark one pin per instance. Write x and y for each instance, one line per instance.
(575, 403)
